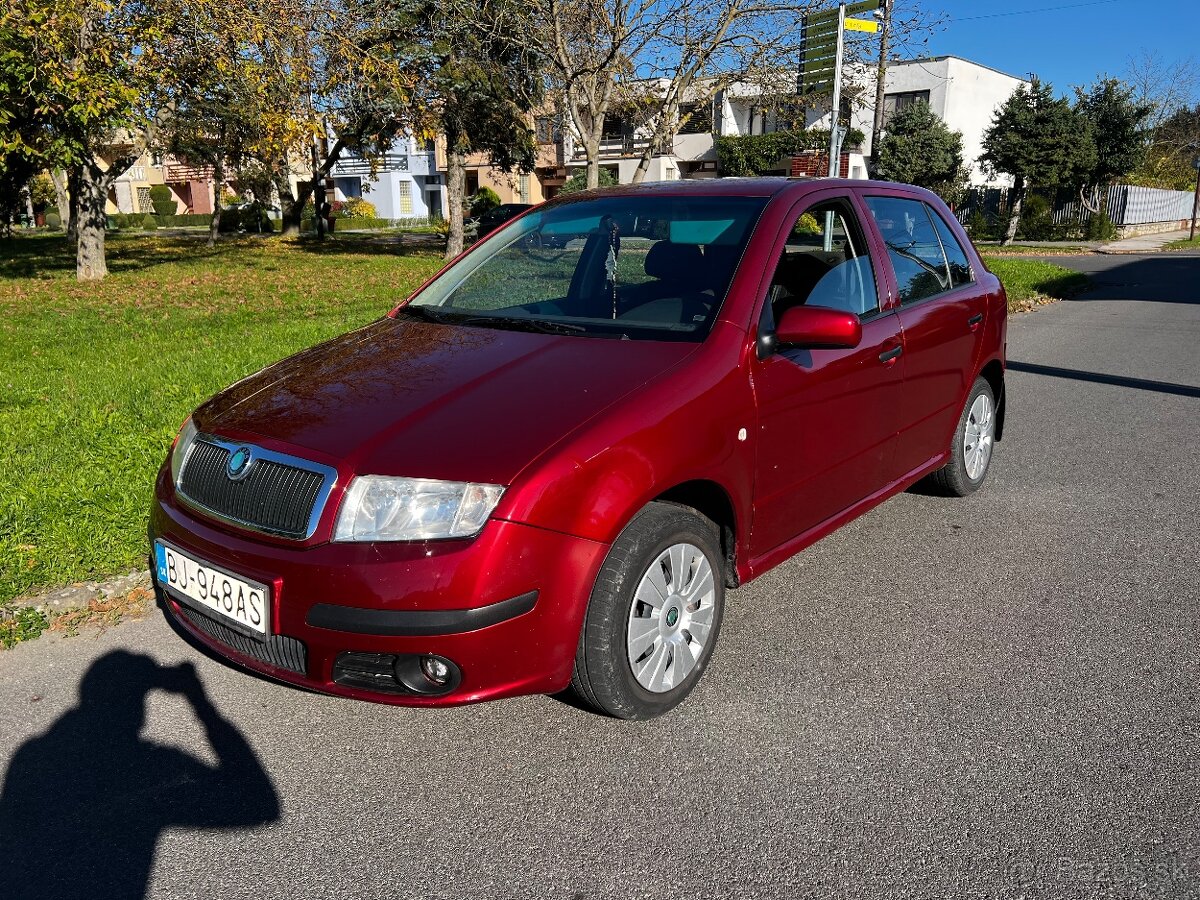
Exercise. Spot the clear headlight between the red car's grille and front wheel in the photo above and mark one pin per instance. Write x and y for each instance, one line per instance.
(379, 508)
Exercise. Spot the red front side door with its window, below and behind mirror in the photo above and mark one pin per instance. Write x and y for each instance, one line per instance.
(827, 418)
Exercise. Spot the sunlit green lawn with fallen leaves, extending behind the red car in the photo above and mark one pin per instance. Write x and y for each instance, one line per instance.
(95, 380)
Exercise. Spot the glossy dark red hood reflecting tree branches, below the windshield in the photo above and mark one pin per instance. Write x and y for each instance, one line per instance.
(427, 400)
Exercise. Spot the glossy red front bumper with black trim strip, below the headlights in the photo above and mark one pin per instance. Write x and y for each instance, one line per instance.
(506, 608)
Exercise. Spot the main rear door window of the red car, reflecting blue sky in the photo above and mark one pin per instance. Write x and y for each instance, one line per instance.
(914, 248)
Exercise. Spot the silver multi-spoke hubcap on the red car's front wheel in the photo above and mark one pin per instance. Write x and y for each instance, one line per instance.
(671, 617)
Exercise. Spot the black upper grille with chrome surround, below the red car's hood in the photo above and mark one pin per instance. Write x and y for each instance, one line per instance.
(274, 497)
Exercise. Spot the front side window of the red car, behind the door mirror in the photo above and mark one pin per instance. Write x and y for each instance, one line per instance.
(825, 263)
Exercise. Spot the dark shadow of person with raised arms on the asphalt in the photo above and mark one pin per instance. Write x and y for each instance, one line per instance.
(83, 805)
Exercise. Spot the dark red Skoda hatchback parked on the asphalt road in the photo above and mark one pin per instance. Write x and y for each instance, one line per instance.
(547, 469)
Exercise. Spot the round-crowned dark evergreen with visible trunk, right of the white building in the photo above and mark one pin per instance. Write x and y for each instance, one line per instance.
(1042, 142)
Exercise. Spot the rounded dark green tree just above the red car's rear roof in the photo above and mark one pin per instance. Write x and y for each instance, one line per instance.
(920, 149)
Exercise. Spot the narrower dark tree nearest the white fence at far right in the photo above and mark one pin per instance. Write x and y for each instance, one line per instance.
(1118, 124)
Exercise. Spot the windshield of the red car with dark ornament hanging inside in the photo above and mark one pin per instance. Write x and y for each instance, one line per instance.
(652, 268)
